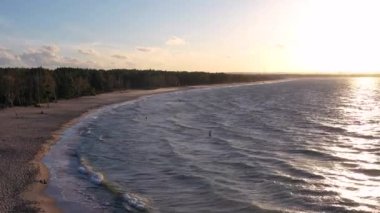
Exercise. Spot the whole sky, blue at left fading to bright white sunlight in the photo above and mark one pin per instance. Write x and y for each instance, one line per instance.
(258, 36)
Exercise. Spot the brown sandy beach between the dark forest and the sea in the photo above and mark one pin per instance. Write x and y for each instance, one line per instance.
(26, 134)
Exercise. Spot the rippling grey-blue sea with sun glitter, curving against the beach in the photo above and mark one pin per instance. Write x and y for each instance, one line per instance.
(299, 145)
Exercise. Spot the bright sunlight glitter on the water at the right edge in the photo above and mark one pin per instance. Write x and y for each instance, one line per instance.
(360, 180)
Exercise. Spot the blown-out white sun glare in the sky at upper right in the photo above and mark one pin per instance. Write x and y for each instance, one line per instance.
(338, 36)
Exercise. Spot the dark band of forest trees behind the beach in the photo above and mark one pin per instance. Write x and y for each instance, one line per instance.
(31, 86)
